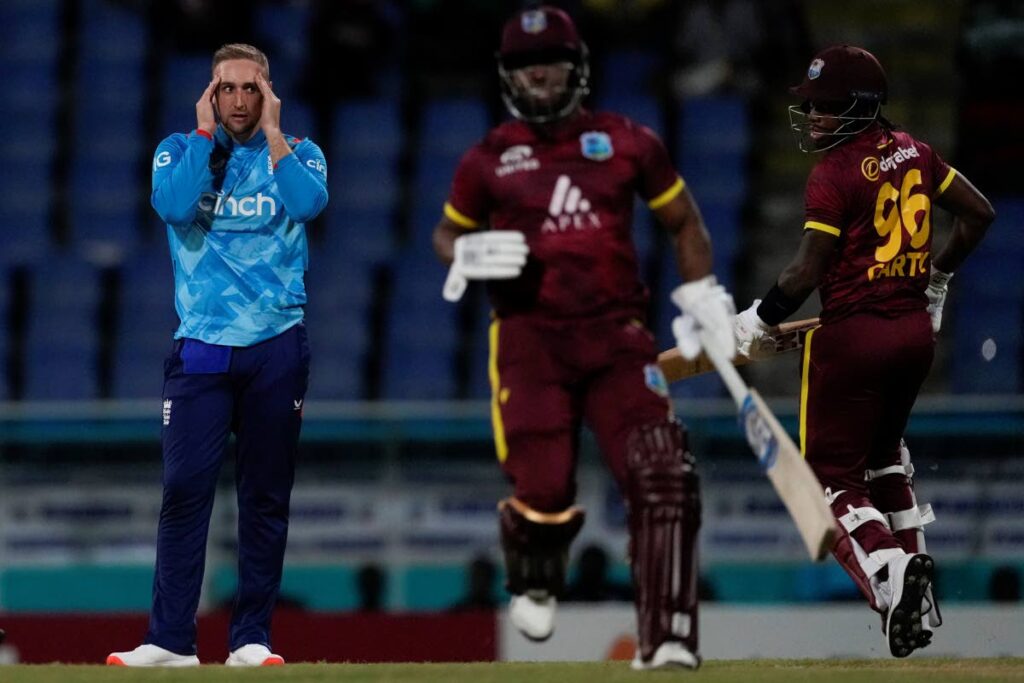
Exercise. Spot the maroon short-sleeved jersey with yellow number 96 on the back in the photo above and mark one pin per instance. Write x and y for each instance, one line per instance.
(875, 194)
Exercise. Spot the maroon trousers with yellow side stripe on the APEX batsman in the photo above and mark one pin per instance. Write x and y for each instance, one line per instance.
(550, 377)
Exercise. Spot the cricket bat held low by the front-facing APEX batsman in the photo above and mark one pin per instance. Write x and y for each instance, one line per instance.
(781, 460)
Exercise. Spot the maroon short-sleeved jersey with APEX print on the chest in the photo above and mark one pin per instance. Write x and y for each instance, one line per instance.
(572, 196)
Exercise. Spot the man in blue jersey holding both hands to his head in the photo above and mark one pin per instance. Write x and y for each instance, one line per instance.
(235, 194)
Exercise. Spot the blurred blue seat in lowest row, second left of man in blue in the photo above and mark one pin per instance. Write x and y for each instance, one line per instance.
(62, 343)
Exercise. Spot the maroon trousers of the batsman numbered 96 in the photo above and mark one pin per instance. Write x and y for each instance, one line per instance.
(862, 378)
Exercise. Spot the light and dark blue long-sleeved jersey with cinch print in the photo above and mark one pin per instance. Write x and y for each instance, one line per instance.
(236, 228)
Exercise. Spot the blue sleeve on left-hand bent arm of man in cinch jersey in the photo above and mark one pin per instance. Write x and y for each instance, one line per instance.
(181, 172)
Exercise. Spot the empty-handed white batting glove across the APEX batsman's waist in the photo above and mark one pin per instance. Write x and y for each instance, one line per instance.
(487, 255)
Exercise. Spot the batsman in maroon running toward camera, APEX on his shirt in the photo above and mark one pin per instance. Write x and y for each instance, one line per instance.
(543, 210)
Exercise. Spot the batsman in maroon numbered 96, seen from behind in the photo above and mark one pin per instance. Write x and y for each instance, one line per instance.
(868, 249)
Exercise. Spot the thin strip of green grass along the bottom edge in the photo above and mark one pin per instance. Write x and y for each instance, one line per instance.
(766, 671)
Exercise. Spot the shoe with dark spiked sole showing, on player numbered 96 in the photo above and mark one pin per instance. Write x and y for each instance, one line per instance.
(910, 577)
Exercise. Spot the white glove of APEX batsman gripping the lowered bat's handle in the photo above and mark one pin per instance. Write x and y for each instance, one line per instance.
(706, 307)
